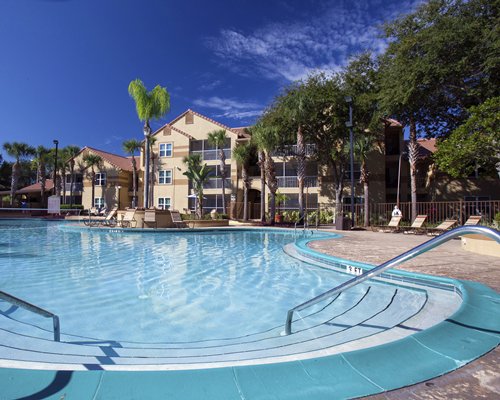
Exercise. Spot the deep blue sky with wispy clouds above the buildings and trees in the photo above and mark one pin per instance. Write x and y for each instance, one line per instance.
(65, 65)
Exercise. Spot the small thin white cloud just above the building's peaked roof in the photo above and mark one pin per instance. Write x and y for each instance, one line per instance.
(231, 108)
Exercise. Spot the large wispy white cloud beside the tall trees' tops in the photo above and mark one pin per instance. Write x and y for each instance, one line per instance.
(290, 51)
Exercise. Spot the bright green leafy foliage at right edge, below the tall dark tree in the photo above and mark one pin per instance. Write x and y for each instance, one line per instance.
(473, 145)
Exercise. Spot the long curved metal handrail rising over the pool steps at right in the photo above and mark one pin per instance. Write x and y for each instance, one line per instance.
(429, 245)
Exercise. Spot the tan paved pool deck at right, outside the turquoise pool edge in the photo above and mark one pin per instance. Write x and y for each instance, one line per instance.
(479, 379)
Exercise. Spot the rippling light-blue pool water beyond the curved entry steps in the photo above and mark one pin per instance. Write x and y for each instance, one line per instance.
(155, 287)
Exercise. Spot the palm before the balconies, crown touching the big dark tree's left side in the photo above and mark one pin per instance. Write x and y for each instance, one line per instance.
(265, 137)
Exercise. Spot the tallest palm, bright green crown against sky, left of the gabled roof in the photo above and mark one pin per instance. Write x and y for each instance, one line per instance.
(149, 105)
